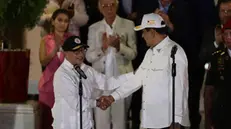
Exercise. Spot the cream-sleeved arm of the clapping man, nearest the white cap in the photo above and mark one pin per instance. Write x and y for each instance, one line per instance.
(129, 50)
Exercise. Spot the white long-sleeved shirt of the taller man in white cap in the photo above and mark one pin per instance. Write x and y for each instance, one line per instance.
(154, 74)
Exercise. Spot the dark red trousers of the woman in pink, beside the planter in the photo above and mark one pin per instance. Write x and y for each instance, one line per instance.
(46, 118)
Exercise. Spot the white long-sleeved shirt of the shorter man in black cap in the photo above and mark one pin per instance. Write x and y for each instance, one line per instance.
(66, 89)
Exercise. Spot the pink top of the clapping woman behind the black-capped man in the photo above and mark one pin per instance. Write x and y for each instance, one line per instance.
(45, 87)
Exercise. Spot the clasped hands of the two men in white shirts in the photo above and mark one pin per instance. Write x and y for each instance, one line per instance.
(104, 102)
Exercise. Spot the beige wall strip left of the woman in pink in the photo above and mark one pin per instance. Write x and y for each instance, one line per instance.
(32, 41)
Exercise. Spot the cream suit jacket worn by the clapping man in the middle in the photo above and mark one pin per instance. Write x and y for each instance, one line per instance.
(127, 52)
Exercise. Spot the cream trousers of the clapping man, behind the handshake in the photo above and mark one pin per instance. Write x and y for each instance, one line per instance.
(114, 117)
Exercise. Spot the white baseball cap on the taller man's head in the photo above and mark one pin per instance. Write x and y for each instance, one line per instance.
(151, 20)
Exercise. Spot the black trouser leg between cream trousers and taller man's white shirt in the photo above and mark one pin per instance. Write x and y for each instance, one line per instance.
(135, 108)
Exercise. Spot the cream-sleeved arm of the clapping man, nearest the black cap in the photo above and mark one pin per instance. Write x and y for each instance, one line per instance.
(94, 52)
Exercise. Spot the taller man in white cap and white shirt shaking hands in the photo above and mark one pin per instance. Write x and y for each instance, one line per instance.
(154, 75)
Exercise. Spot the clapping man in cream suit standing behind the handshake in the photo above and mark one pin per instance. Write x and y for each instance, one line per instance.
(111, 32)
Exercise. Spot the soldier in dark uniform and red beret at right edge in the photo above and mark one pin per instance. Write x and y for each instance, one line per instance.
(217, 90)
